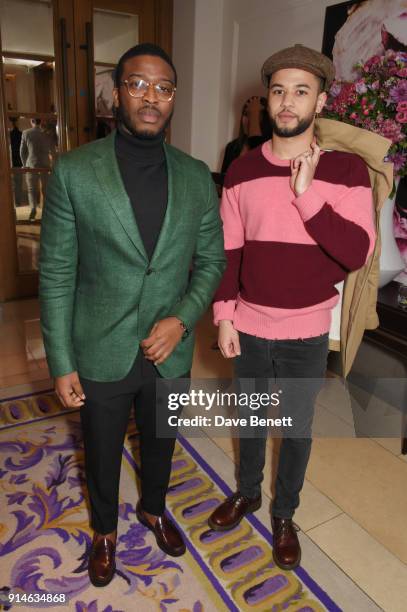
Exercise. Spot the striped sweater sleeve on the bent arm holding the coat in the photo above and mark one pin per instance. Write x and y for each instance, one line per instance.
(344, 229)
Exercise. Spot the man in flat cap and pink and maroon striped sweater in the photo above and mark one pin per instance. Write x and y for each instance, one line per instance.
(296, 221)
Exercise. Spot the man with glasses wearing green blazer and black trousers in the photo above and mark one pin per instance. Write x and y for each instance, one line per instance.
(124, 219)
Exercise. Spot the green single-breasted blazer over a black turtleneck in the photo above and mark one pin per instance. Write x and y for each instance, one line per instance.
(99, 293)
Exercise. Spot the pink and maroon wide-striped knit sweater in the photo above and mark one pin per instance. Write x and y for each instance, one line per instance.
(286, 253)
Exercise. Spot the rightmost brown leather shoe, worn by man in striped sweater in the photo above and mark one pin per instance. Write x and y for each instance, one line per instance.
(286, 547)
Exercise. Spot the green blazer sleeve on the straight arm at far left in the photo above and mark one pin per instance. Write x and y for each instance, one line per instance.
(58, 271)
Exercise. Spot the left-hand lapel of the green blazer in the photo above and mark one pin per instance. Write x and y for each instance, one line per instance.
(108, 173)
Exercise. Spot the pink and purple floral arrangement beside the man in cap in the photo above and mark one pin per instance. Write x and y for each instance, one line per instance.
(376, 101)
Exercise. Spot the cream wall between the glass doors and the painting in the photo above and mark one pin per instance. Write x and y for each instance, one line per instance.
(226, 43)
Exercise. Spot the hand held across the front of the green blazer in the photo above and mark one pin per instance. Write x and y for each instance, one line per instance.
(164, 337)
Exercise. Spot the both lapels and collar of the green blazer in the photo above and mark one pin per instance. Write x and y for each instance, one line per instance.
(108, 173)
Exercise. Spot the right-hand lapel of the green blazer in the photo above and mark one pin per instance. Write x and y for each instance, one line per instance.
(176, 196)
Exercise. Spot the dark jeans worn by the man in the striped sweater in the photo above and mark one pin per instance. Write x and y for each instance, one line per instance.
(286, 362)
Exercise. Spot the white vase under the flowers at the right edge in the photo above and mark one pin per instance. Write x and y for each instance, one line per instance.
(391, 262)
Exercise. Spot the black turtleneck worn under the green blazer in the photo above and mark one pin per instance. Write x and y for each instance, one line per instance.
(143, 168)
